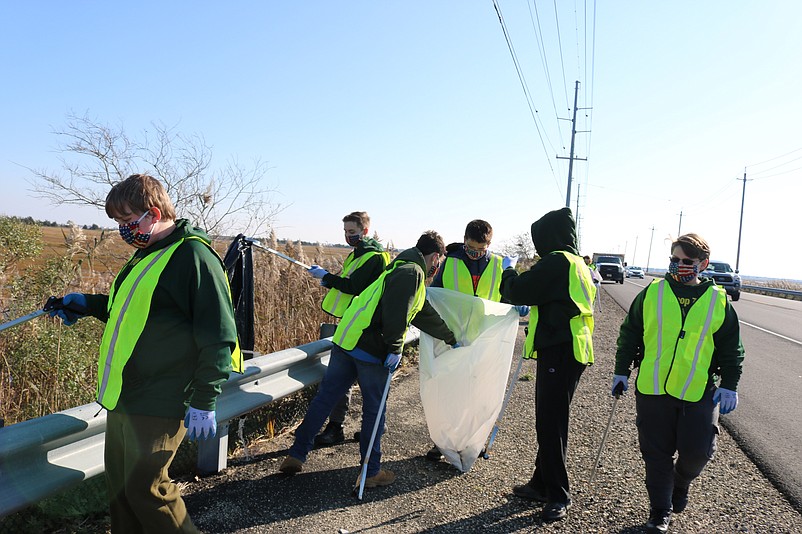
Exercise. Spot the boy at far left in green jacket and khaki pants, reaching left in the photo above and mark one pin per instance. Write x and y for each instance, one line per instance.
(169, 345)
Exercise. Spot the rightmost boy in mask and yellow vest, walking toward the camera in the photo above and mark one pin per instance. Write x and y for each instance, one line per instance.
(687, 334)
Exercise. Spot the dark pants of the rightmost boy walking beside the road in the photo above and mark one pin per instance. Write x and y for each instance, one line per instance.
(666, 426)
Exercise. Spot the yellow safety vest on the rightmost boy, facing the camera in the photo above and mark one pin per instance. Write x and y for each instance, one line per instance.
(678, 352)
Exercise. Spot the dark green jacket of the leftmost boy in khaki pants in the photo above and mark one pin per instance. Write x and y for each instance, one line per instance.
(184, 353)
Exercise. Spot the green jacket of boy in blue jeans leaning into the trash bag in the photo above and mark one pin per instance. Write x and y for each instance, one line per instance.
(385, 334)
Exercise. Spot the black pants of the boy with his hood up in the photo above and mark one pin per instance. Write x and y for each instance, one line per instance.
(558, 374)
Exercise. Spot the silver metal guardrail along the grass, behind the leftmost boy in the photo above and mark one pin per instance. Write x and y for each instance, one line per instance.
(44, 456)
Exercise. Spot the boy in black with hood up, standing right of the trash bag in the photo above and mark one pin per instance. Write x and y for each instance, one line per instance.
(560, 290)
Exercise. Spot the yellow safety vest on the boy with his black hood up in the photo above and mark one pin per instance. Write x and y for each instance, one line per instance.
(582, 293)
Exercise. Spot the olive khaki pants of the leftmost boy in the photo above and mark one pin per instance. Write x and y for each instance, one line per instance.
(143, 499)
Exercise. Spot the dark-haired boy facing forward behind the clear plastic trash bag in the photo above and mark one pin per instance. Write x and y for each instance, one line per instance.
(472, 269)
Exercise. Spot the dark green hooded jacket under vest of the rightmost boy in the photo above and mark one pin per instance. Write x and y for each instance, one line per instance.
(728, 354)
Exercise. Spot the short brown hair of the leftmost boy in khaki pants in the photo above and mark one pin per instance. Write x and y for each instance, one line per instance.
(137, 194)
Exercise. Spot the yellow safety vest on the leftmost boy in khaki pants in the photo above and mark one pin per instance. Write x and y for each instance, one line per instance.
(128, 310)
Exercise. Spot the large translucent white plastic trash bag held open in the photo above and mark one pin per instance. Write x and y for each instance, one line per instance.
(462, 389)
